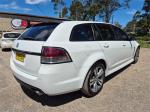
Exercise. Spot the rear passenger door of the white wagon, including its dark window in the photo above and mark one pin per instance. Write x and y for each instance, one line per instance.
(112, 49)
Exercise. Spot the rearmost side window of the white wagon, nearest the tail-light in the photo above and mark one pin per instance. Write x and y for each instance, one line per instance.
(82, 32)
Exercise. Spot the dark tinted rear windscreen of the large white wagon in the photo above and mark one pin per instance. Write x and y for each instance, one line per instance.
(38, 33)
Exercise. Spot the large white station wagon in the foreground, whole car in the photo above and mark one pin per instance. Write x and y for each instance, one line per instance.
(73, 55)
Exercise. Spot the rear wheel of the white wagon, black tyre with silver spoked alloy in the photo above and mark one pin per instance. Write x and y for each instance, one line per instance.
(94, 80)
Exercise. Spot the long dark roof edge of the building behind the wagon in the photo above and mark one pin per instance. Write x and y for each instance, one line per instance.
(29, 17)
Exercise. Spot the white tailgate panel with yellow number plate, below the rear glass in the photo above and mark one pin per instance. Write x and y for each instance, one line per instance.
(26, 56)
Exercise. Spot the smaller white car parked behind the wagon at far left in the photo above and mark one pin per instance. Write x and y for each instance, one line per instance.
(8, 38)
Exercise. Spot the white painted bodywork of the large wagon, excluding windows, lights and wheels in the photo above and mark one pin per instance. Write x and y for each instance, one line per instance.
(55, 79)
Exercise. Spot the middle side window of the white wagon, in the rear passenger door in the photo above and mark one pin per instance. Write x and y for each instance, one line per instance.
(106, 32)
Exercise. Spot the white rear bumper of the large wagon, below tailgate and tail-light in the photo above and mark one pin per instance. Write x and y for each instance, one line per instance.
(51, 79)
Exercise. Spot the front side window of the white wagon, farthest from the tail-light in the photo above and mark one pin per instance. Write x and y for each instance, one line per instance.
(120, 35)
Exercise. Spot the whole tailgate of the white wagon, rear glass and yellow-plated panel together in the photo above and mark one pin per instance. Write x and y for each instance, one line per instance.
(27, 49)
